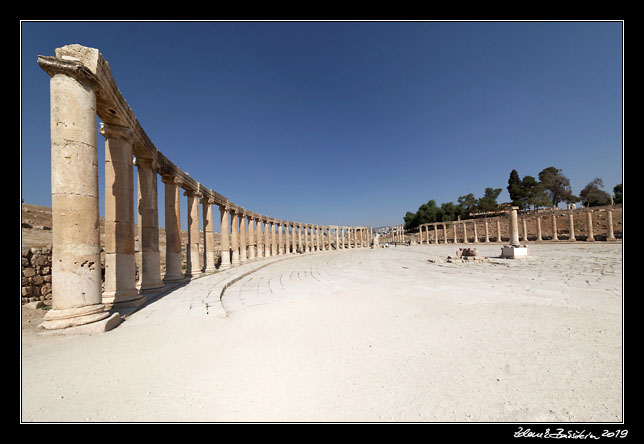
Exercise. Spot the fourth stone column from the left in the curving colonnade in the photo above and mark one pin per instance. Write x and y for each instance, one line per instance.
(173, 270)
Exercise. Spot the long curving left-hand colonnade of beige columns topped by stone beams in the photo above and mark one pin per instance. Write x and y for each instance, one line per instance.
(82, 88)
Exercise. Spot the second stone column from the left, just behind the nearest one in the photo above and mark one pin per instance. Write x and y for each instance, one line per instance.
(120, 267)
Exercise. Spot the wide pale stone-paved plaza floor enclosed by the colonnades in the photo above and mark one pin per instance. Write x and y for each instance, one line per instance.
(391, 334)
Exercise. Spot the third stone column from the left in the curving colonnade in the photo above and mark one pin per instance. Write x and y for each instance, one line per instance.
(150, 275)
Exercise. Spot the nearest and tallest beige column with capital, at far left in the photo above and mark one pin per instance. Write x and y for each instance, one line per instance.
(76, 270)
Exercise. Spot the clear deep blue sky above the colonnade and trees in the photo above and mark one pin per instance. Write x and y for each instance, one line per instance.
(349, 123)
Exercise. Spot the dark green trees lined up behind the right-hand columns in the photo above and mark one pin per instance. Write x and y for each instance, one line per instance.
(549, 190)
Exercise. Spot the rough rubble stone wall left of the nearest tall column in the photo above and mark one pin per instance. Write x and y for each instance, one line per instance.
(36, 274)
